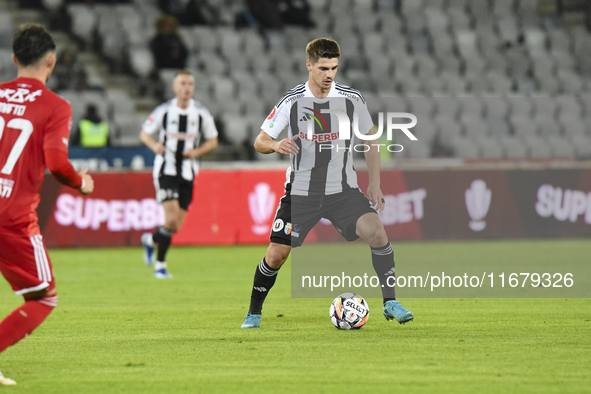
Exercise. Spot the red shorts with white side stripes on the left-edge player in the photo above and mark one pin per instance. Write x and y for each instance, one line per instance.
(24, 263)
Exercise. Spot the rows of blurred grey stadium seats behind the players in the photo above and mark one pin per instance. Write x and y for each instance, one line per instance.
(490, 79)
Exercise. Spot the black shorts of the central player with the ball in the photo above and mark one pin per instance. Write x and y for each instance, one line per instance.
(297, 215)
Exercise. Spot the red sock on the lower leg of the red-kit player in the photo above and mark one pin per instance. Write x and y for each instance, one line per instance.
(23, 320)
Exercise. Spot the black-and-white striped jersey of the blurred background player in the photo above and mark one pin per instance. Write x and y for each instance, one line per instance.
(180, 129)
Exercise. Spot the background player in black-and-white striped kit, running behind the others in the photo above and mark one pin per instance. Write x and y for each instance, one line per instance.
(180, 123)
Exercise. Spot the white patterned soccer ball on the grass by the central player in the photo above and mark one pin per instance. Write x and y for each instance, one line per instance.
(349, 311)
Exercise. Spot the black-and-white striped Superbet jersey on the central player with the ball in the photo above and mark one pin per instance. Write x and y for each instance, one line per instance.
(324, 164)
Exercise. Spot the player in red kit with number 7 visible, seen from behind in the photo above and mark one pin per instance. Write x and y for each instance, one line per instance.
(34, 130)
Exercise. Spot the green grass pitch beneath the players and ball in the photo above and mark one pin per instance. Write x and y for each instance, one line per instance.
(118, 330)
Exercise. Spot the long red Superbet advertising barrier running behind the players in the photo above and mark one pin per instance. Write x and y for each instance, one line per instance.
(238, 207)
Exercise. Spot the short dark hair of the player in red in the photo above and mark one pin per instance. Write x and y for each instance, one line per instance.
(31, 42)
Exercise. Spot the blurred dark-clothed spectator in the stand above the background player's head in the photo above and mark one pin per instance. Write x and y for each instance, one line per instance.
(167, 47)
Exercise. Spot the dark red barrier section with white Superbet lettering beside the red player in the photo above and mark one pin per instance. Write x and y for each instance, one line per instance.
(120, 209)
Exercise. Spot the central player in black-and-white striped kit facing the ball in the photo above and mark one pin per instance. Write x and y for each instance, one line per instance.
(321, 181)
